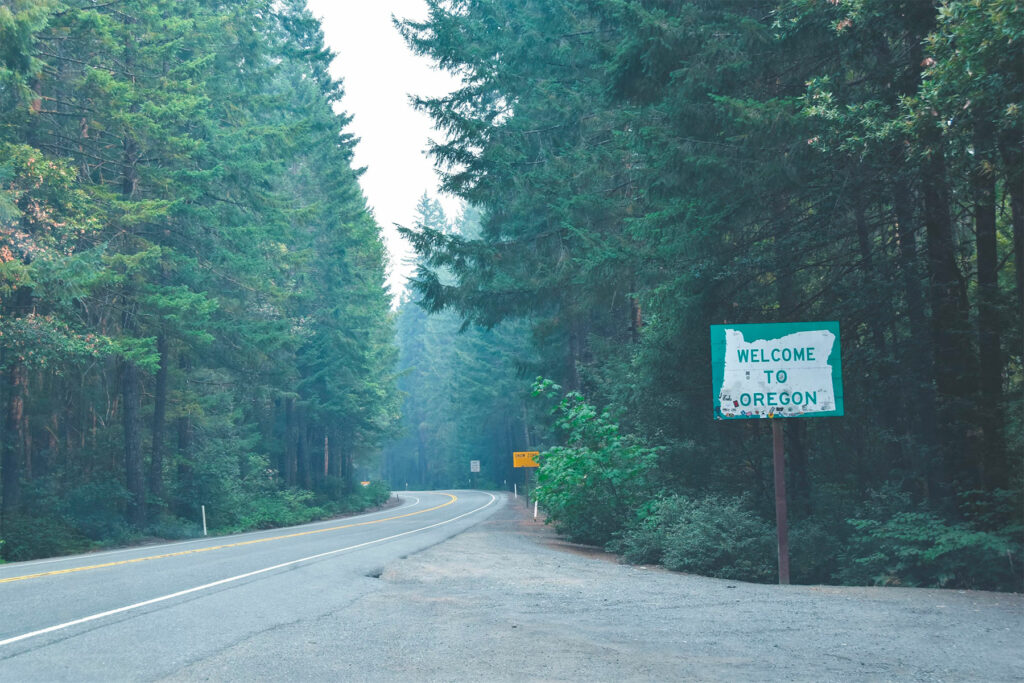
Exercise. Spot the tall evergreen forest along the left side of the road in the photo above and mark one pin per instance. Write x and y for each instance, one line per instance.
(193, 309)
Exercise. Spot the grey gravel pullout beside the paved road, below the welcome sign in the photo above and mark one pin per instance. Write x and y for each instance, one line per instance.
(507, 601)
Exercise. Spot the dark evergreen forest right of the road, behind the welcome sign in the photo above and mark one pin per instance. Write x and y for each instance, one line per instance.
(644, 169)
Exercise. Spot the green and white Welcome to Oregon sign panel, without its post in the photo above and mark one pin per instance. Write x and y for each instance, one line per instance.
(778, 370)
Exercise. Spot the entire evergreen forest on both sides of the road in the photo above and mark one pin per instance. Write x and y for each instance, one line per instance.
(193, 309)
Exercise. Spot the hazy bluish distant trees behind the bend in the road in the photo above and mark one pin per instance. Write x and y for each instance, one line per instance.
(465, 395)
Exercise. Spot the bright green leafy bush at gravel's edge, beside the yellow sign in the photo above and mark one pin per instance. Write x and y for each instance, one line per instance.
(591, 487)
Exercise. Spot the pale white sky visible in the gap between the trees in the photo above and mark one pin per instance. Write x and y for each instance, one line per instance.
(379, 73)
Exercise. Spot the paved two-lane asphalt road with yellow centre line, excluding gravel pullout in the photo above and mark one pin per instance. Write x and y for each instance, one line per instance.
(147, 613)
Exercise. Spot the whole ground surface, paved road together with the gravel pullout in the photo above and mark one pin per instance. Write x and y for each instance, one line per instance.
(462, 586)
